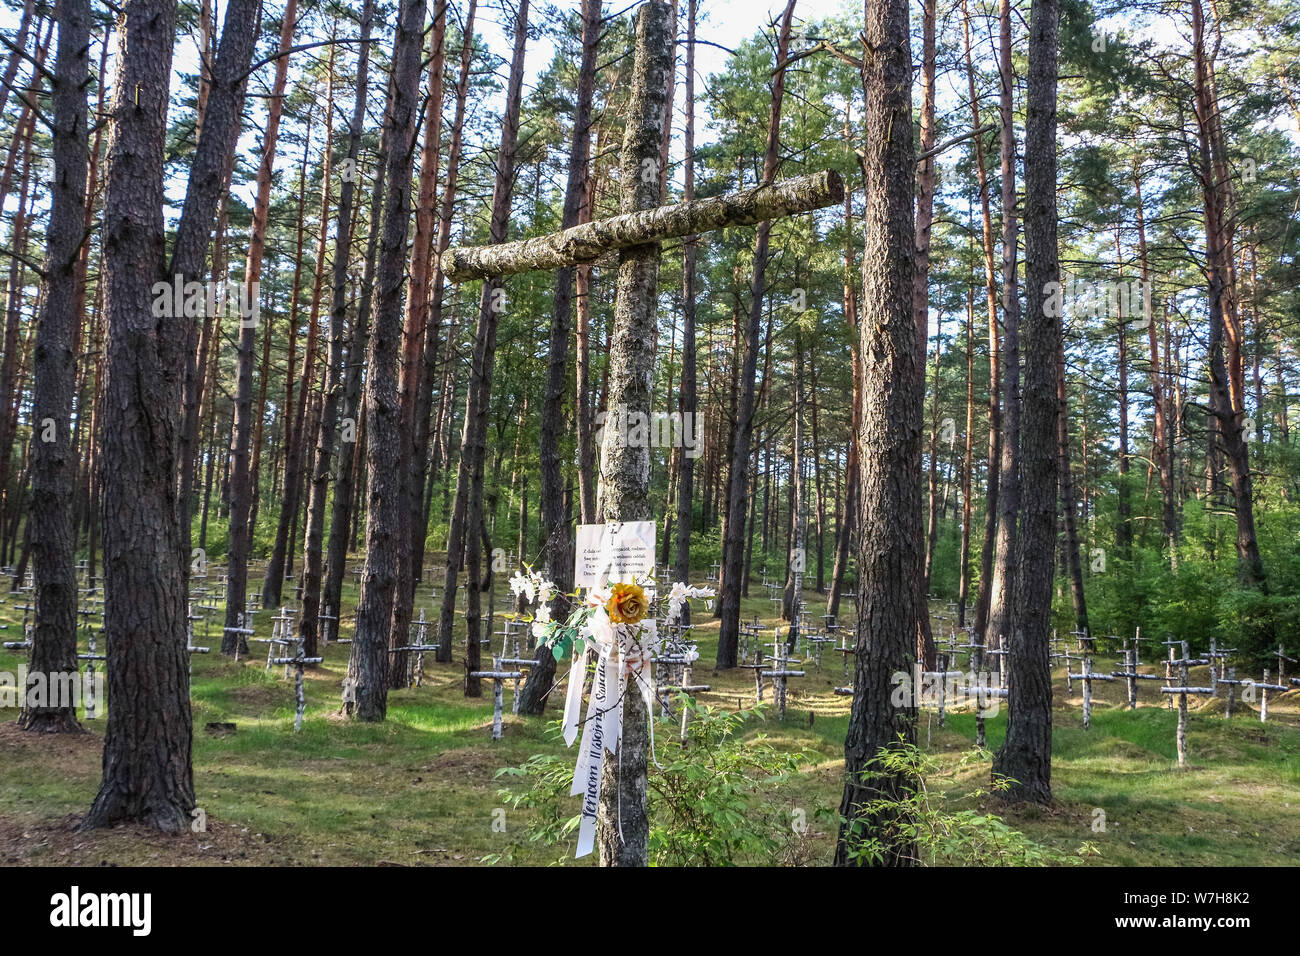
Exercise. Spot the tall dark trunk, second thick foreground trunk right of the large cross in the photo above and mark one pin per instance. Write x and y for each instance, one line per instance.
(1025, 758)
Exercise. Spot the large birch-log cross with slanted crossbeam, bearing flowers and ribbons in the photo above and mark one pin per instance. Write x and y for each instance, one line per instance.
(636, 236)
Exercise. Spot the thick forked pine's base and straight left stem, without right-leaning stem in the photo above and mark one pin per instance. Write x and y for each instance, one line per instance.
(149, 776)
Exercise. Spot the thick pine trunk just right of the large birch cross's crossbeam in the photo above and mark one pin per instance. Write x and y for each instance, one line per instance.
(890, 556)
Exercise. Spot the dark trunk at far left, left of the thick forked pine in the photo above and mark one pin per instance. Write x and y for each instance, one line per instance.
(54, 468)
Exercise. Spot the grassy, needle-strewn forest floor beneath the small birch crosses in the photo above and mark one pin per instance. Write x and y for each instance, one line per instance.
(422, 789)
